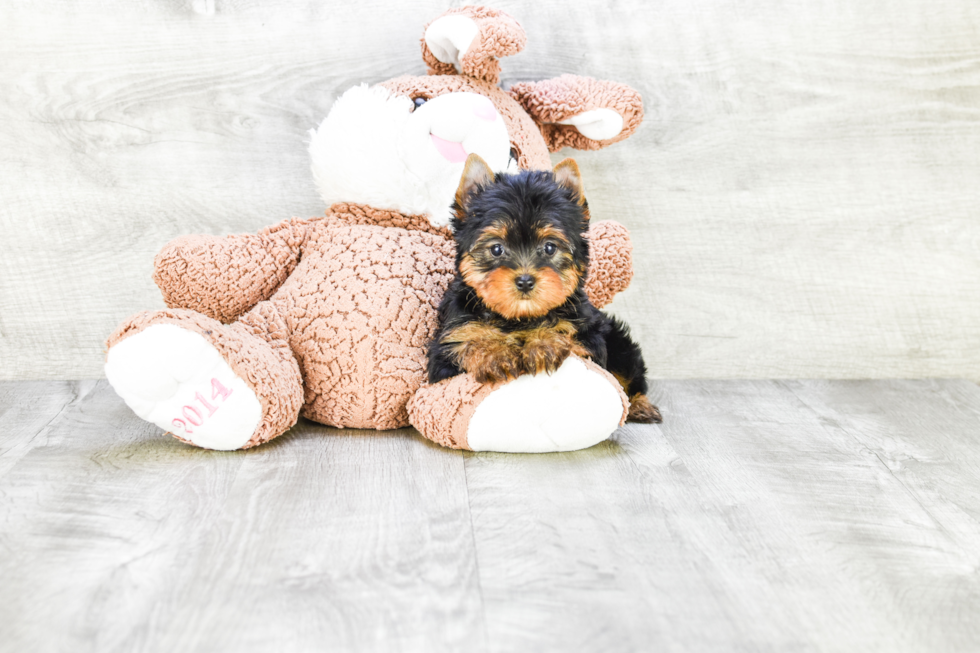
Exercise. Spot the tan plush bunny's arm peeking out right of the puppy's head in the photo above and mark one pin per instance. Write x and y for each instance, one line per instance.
(610, 262)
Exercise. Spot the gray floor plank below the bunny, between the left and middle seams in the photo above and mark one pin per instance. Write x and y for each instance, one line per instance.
(117, 539)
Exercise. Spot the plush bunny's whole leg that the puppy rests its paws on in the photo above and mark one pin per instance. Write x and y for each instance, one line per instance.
(576, 407)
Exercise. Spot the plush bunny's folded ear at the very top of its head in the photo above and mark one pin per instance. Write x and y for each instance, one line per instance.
(468, 40)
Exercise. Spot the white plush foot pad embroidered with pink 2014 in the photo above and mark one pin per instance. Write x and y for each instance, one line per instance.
(177, 380)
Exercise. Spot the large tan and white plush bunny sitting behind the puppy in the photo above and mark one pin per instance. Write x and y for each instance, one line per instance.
(330, 317)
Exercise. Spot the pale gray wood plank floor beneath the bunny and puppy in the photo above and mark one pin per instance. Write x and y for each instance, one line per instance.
(761, 516)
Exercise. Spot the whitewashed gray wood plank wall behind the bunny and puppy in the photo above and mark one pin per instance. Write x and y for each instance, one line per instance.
(804, 194)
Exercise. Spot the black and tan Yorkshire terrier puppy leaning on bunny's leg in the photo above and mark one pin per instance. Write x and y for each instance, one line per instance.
(518, 304)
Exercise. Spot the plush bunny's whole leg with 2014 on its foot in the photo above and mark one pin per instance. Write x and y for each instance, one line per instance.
(212, 385)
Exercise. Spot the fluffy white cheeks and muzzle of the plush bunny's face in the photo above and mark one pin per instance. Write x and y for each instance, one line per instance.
(374, 149)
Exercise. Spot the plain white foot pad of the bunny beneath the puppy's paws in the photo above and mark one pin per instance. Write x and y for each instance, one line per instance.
(573, 408)
